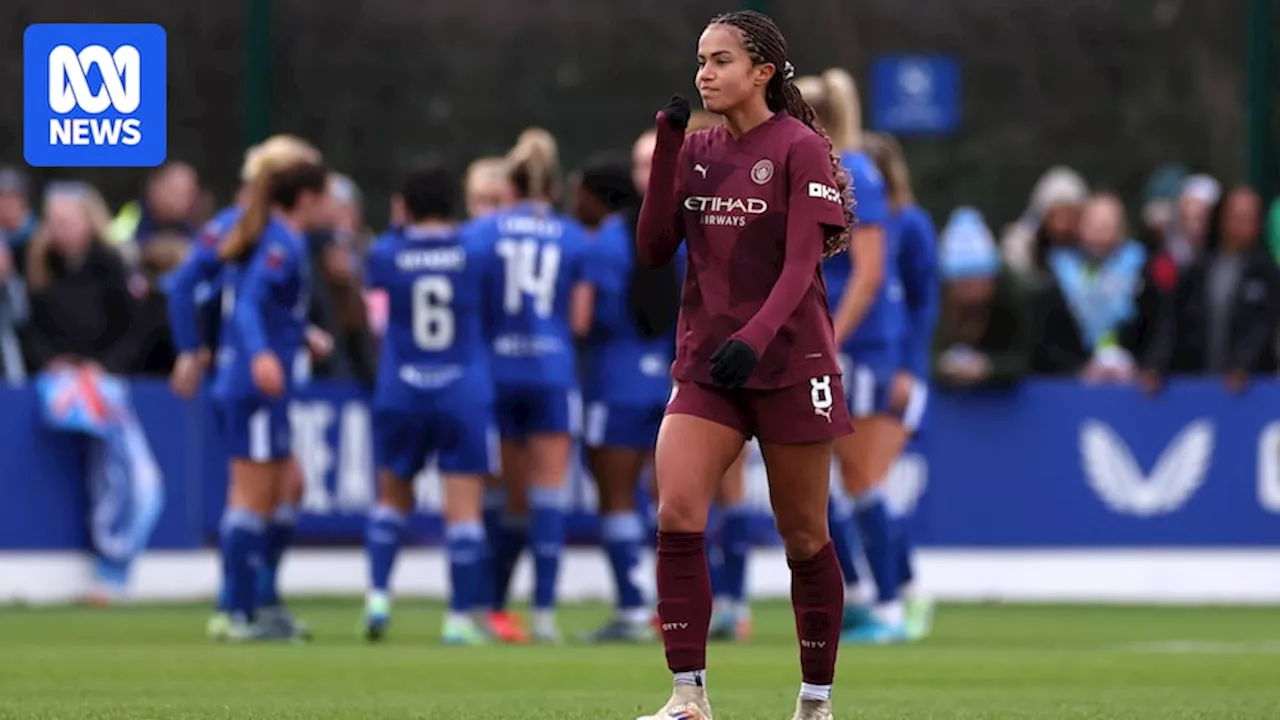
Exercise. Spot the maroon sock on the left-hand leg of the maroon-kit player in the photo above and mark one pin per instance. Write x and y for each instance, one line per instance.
(685, 600)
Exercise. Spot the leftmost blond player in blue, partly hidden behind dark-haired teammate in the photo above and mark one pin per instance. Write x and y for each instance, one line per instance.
(194, 294)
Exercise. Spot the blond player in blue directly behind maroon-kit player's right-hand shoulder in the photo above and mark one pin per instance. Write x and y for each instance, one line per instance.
(870, 321)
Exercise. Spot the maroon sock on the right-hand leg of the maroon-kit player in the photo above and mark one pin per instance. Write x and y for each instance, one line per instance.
(819, 600)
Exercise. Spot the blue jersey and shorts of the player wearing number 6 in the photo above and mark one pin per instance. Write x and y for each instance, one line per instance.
(435, 393)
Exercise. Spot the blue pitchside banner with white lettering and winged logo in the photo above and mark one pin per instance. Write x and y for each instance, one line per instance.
(1052, 464)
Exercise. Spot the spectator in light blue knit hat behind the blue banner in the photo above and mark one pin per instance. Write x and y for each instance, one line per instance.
(985, 329)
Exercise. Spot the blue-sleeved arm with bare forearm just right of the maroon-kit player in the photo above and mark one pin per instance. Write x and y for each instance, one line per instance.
(867, 250)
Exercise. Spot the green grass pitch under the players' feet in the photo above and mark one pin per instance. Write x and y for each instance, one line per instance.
(998, 663)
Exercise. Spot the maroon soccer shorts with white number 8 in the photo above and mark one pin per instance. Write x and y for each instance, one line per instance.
(811, 412)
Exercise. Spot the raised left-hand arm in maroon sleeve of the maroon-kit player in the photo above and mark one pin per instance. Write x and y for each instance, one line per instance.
(661, 227)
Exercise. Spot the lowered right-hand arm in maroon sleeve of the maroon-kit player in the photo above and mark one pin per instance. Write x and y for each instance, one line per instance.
(813, 211)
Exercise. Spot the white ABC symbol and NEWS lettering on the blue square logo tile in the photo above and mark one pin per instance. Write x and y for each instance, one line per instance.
(70, 92)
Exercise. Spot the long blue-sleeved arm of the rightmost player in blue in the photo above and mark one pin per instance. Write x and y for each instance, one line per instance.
(918, 267)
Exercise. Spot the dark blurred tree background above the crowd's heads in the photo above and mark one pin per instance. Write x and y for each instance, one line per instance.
(1112, 88)
